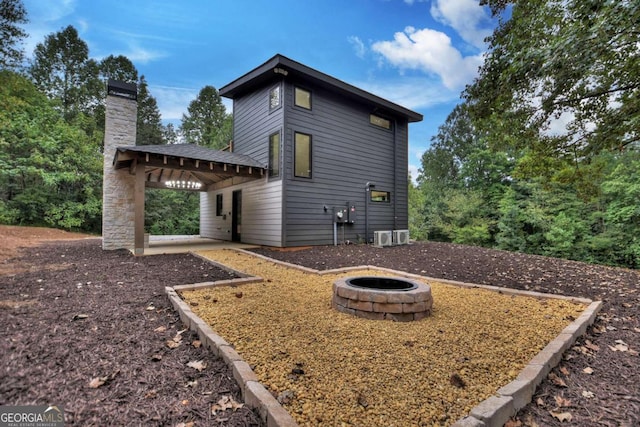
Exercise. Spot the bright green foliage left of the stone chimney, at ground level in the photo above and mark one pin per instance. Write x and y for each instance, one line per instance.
(50, 171)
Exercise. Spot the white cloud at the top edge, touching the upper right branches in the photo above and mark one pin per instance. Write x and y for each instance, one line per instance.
(467, 17)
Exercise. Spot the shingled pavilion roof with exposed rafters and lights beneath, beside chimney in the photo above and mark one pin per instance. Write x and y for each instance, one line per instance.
(188, 166)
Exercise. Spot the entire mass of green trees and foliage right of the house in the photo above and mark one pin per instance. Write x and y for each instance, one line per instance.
(542, 157)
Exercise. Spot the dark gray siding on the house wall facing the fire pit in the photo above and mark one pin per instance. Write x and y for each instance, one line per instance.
(347, 152)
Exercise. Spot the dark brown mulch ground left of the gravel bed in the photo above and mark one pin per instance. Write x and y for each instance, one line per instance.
(87, 330)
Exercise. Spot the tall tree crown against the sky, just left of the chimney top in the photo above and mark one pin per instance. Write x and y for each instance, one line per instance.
(61, 68)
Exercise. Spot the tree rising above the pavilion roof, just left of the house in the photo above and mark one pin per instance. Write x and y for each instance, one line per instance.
(206, 122)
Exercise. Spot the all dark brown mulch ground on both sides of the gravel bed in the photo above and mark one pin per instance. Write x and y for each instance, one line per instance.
(93, 331)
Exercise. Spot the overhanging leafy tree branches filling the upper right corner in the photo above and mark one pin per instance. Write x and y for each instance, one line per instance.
(568, 71)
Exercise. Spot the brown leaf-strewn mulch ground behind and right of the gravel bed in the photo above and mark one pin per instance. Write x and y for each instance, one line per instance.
(570, 396)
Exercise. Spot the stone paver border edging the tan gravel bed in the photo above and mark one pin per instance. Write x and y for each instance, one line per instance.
(494, 411)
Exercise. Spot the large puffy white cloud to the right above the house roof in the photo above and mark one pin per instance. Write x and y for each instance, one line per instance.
(430, 51)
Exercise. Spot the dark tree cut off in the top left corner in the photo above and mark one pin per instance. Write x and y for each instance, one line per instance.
(12, 13)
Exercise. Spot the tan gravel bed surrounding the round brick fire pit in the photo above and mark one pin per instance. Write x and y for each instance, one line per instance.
(335, 369)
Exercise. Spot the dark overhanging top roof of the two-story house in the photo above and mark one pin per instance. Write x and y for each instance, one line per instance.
(281, 65)
